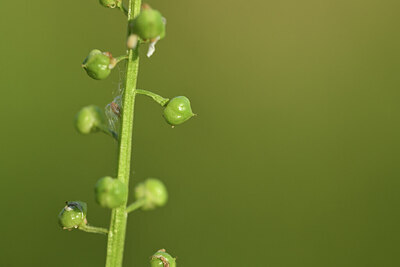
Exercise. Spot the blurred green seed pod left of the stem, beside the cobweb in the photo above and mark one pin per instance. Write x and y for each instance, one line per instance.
(89, 119)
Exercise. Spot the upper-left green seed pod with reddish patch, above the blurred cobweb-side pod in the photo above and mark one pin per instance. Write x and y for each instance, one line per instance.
(97, 64)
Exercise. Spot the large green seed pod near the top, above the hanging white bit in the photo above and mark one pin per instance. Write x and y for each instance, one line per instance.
(148, 24)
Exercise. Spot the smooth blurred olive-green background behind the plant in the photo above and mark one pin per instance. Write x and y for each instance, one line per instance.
(292, 161)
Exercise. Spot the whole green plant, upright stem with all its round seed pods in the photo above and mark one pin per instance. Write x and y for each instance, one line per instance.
(145, 25)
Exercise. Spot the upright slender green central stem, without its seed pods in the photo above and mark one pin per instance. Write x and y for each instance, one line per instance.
(116, 234)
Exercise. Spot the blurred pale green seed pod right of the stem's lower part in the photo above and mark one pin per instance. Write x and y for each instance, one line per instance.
(153, 192)
